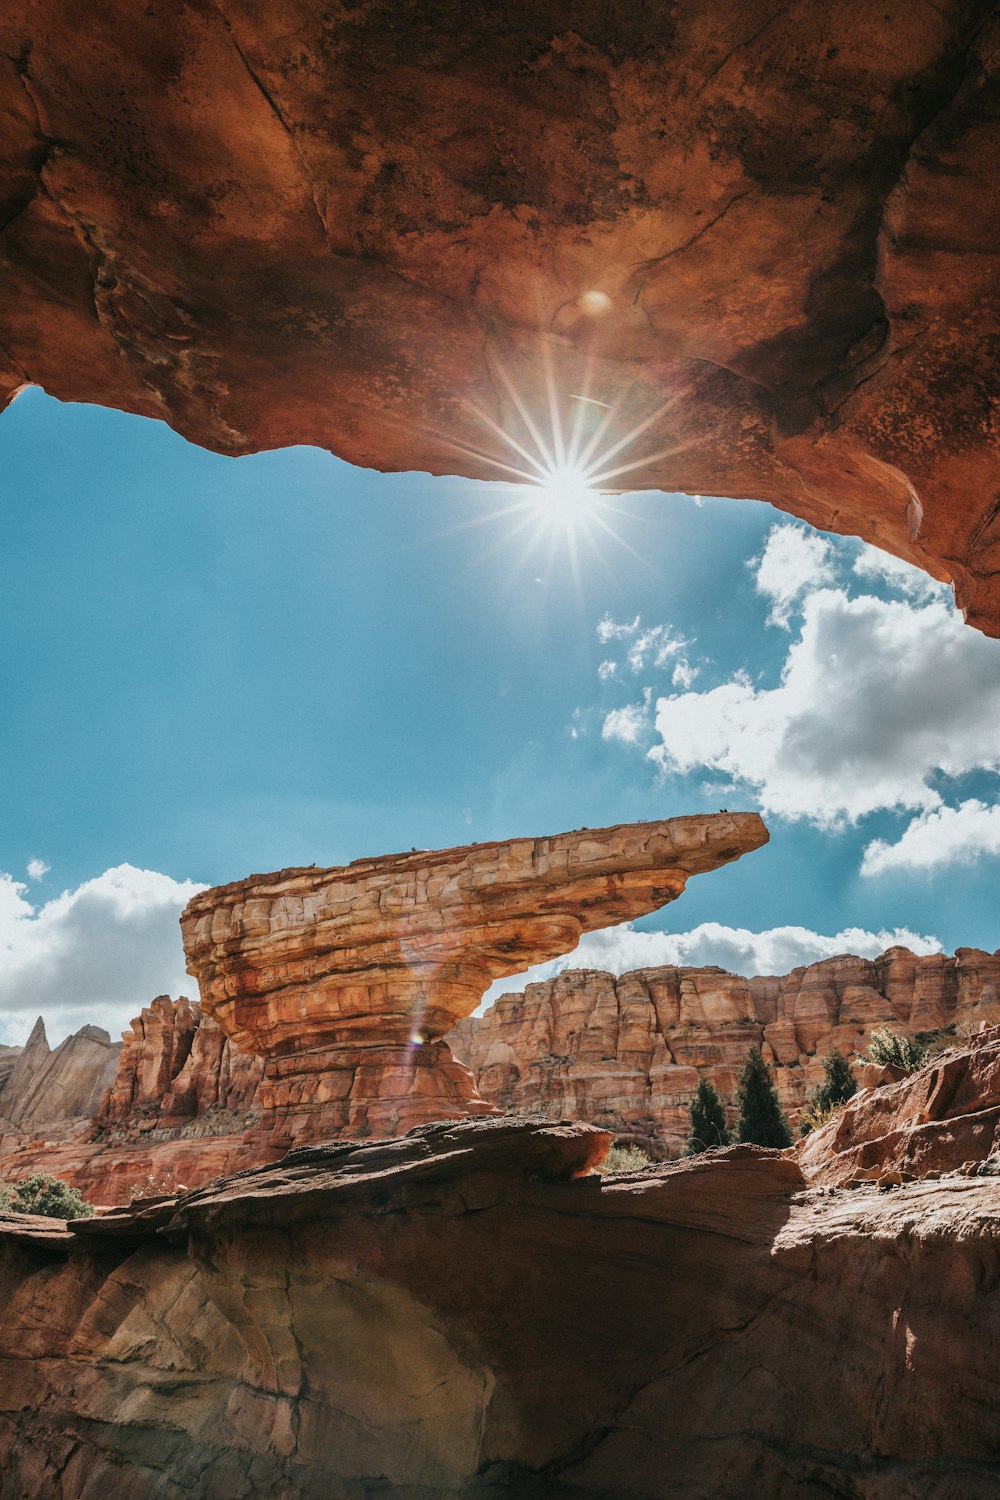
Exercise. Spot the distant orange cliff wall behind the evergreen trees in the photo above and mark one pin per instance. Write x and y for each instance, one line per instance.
(626, 1052)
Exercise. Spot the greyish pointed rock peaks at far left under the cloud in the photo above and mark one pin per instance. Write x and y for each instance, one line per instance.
(58, 1087)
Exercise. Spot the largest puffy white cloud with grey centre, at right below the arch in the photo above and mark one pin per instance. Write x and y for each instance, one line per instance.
(875, 700)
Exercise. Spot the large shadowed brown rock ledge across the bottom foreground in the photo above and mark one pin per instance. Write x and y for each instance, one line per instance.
(461, 1315)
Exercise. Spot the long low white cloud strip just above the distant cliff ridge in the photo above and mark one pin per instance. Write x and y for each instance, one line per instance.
(776, 950)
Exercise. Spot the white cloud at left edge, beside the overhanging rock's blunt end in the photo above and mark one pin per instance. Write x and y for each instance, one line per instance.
(95, 955)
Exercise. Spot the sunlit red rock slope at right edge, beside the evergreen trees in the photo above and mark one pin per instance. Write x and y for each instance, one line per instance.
(941, 1120)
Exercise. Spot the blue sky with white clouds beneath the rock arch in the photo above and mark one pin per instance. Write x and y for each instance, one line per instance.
(220, 665)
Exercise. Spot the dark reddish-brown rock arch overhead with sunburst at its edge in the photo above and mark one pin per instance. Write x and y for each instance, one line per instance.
(767, 236)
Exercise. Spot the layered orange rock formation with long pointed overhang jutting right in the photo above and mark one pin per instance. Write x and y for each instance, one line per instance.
(347, 980)
